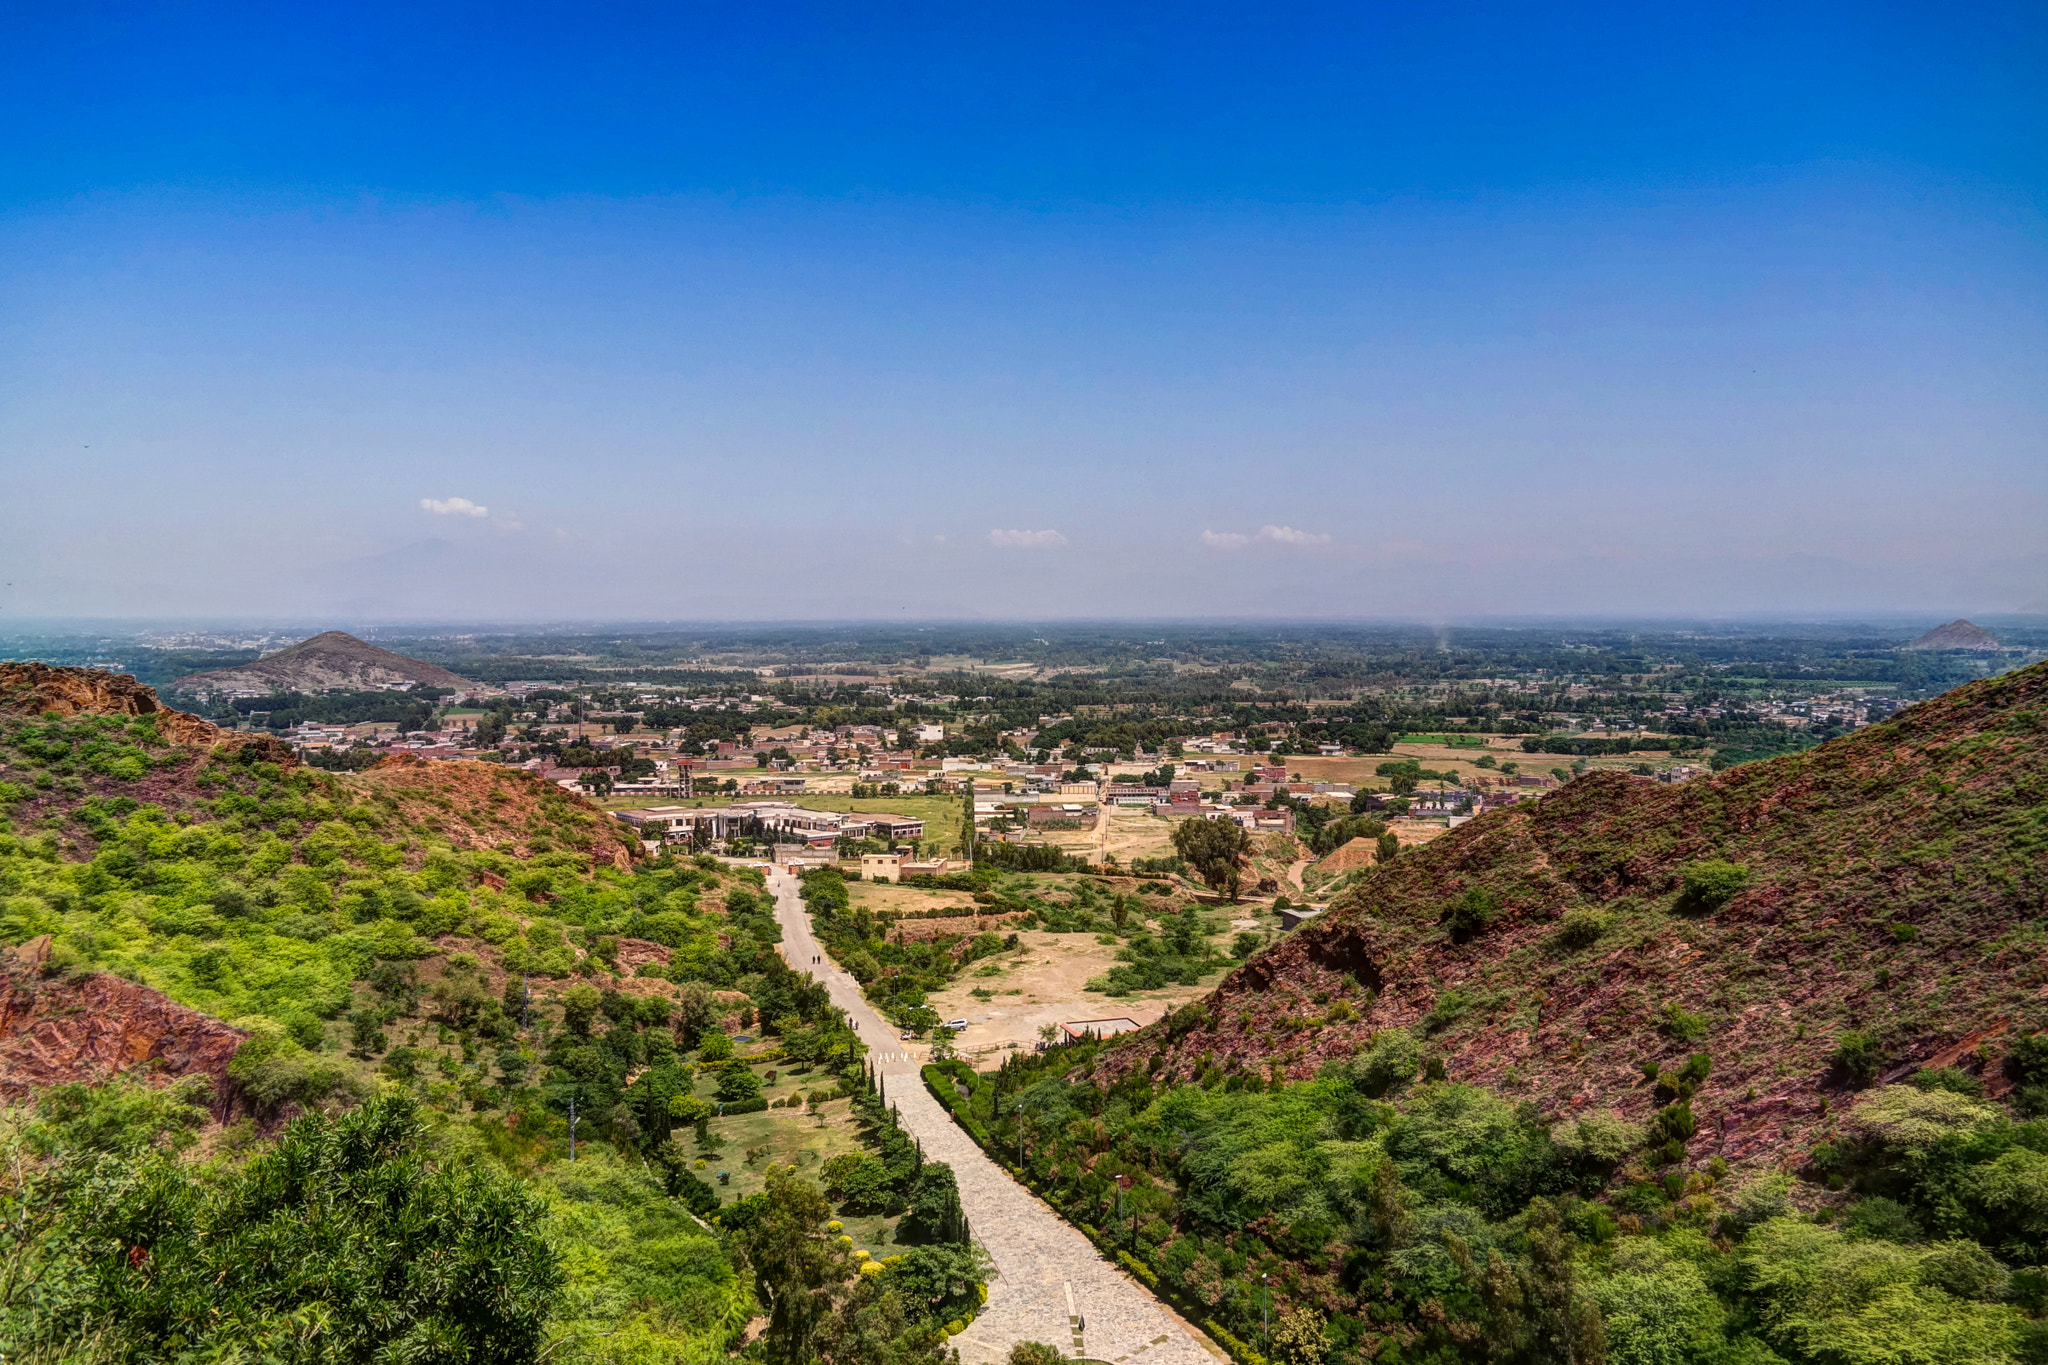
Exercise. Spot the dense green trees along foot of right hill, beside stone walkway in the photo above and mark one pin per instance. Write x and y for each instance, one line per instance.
(1377, 1215)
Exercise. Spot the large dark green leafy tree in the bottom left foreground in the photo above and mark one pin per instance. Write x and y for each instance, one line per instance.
(345, 1227)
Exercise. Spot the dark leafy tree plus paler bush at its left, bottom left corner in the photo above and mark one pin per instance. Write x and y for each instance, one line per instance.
(339, 1243)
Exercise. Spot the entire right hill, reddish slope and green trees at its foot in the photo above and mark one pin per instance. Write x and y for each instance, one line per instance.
(1738, 1071)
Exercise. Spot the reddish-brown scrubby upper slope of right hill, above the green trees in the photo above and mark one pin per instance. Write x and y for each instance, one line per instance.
(1811, 924)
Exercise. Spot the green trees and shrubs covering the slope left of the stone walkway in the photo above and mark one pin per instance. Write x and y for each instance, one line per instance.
(437, 1016)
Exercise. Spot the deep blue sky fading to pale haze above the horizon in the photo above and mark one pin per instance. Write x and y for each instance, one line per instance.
(407, 312)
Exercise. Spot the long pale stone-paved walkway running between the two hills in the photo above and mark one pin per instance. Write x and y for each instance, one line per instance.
(1050, 1284)
